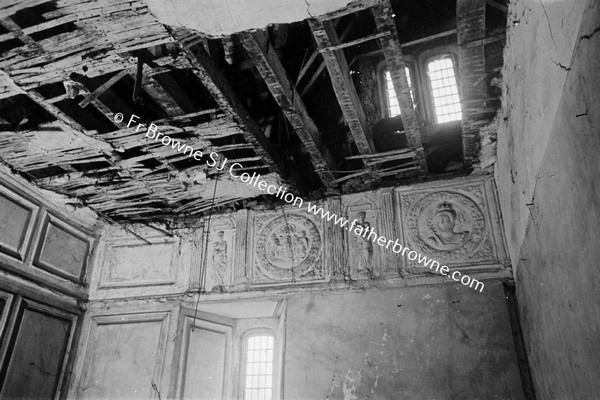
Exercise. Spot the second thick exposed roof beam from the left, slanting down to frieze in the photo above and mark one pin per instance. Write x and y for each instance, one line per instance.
(267, 62)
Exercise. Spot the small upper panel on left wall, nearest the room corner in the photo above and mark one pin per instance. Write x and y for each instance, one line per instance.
(63, 250)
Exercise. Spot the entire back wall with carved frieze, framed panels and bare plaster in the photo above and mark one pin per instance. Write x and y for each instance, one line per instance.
(341, 331)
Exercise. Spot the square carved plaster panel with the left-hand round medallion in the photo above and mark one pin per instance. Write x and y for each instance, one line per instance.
(287, 247)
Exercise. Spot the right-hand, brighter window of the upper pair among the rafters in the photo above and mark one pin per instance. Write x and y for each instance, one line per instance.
(444, 90)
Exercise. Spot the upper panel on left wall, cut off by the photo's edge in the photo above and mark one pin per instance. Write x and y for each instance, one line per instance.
(17, 219)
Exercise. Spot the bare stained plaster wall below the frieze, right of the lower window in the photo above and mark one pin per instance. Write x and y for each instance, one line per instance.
(435, 342)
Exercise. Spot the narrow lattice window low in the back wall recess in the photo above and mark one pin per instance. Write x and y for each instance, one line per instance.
(258, 384)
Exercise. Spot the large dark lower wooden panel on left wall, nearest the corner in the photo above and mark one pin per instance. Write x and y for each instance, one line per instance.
(36, 352)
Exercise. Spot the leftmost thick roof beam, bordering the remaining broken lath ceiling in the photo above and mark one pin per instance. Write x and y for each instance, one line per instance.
(216, 83)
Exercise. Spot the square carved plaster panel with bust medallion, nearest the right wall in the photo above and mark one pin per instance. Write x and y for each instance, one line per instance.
(455, 223)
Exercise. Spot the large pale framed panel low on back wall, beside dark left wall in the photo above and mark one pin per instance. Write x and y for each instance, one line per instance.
(124, 356)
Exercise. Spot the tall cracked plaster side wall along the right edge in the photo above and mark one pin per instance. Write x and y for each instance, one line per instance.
(547, 175)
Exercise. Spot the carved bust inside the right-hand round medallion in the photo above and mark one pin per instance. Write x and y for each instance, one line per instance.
(443, 227)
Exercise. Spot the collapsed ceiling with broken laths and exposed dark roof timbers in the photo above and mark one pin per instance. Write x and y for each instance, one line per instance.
(290, 101)
